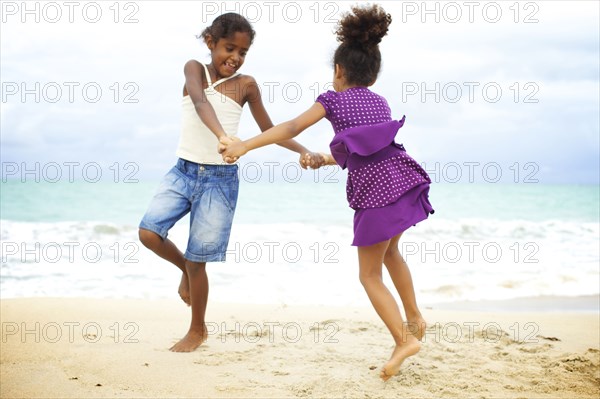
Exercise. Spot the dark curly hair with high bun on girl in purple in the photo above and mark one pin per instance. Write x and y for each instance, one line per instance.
(360, 33)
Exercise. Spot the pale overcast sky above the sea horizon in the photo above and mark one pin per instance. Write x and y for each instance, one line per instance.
(507, 85)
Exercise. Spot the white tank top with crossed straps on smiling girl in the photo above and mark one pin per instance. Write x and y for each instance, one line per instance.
(197, 143)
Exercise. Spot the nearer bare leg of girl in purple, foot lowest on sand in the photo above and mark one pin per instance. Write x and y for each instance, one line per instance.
(370, 260)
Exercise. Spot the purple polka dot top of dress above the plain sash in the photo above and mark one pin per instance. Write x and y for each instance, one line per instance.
(353, 107)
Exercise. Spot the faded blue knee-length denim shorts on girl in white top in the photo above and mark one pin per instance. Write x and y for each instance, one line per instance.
(209, 193)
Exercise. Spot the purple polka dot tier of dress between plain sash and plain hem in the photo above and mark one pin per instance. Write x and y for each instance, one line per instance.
(379, 184)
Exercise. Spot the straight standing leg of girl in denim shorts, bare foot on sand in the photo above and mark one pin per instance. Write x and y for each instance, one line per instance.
(199, 297)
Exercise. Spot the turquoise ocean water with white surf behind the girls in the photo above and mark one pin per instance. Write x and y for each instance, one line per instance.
(290, 243)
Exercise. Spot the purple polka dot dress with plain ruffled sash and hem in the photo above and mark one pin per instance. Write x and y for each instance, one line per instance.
(386, 187)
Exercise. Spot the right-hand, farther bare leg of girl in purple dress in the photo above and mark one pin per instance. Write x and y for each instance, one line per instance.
(400, 274)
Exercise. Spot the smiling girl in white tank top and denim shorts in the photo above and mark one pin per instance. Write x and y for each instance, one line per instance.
(201, 183)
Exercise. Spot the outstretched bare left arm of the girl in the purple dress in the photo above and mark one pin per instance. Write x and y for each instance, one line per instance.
(279, 133)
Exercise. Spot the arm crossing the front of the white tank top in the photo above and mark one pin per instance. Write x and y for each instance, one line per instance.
(194, 86)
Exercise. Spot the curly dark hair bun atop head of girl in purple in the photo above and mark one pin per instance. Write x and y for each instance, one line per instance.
(364, 27)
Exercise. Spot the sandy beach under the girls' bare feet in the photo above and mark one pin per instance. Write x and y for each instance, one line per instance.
(102, 348)
